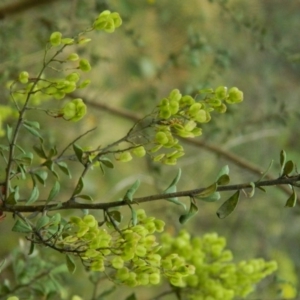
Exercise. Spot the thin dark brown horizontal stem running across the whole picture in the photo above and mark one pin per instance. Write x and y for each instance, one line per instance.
(293, 180)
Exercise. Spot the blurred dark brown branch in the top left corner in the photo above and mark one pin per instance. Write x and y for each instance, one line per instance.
(17, 7)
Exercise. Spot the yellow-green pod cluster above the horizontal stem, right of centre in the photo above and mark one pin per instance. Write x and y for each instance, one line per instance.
(181, 115)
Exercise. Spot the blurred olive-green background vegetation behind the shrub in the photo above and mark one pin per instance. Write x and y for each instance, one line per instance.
(188, 45)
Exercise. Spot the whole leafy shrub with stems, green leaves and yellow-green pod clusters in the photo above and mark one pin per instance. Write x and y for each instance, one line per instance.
(129, 254)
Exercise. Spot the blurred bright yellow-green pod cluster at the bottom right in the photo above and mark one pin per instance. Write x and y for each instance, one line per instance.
(216, 276)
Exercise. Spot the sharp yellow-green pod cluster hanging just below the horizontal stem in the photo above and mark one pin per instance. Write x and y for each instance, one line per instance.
(132, 254)
